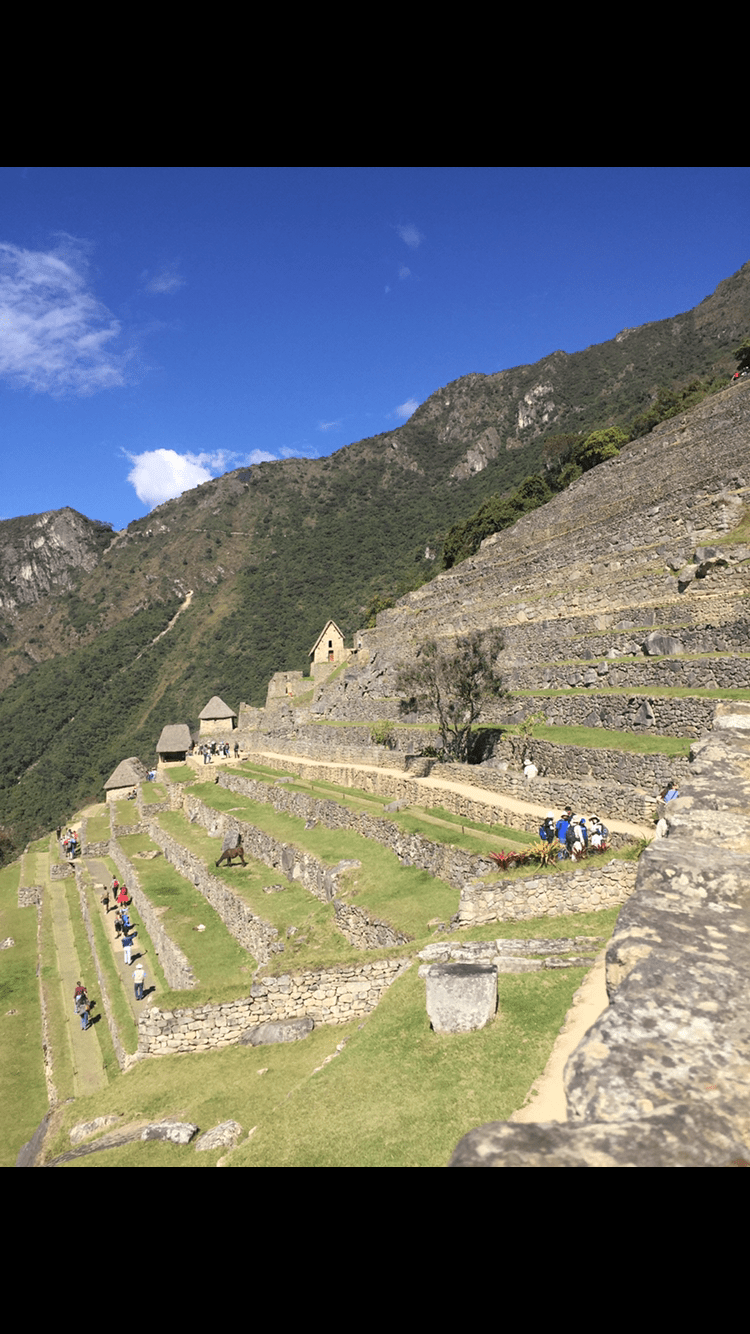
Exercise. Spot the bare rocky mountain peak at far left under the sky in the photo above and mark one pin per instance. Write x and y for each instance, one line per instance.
(41, 553)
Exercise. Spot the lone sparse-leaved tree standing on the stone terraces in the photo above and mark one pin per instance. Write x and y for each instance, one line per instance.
(454, 684)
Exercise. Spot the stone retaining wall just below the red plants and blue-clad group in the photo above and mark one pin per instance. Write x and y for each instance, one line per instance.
(584, 890)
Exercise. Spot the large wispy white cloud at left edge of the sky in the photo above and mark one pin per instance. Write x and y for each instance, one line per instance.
(55, 337)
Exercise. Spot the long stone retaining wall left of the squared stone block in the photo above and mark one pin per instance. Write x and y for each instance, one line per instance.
(334, 996)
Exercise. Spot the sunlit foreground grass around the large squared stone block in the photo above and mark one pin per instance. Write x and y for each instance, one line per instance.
(397, 1096)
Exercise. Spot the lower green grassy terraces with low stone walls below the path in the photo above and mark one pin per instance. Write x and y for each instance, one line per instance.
(317, 938)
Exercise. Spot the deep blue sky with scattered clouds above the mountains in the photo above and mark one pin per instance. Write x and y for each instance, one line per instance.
(161, 326)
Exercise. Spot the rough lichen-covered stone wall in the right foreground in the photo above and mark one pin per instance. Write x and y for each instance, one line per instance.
(664, 1076)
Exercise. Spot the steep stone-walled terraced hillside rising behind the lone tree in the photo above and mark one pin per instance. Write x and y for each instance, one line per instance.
(629, 588)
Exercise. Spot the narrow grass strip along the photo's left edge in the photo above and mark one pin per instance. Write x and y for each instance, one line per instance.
(22, 1069)
